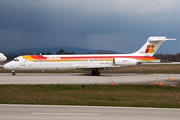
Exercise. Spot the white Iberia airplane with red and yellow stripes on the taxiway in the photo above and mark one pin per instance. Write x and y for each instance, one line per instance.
(93, 62)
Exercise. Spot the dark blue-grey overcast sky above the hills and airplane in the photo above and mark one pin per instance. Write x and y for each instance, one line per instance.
(119, 25)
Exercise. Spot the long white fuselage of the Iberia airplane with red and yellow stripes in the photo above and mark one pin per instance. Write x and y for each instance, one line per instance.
(66, 62)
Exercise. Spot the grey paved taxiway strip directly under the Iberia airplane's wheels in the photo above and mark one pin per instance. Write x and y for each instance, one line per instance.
(78, 78)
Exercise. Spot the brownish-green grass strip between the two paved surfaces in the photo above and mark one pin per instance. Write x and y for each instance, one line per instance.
(92, 95)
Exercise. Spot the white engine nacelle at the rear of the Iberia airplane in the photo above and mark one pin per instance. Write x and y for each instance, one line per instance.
(125, 61)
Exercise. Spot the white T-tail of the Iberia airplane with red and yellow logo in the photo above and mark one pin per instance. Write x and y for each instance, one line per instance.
(151, 46)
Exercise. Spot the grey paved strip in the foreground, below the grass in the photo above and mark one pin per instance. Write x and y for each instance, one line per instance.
(56, 112)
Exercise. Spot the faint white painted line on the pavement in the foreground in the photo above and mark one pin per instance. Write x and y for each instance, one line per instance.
(77, 114)
